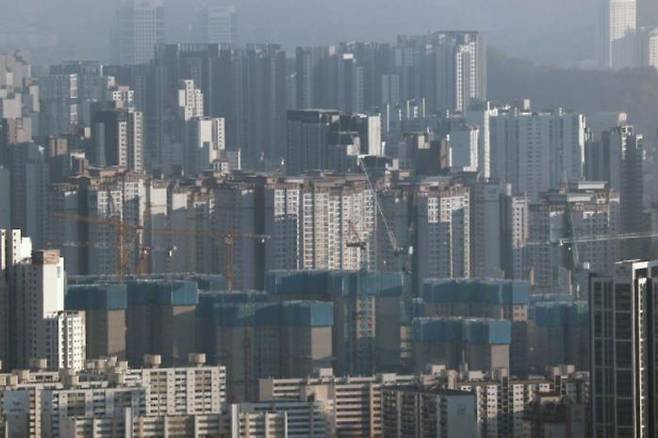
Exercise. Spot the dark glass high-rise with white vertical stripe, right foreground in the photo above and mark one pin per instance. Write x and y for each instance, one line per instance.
(622, 345)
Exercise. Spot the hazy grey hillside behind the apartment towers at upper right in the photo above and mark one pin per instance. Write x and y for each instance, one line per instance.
(587, 91)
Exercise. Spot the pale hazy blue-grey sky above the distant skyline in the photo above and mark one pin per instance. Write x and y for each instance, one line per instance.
(554, 31)
